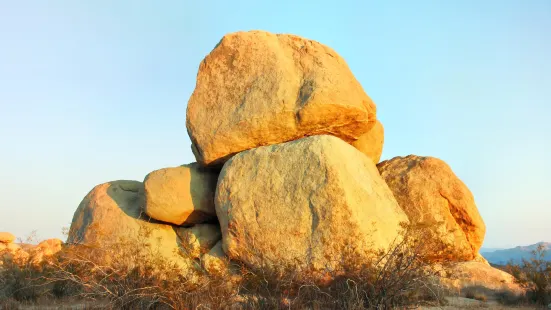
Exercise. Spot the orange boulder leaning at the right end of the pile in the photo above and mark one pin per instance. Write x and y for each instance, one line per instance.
(432, 195)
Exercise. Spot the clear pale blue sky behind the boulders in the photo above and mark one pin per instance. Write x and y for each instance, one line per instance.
(95, 91)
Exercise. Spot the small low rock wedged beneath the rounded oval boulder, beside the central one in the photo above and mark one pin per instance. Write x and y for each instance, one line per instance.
(199, 239)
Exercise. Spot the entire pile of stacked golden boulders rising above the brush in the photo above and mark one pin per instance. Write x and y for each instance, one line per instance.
(287, 145)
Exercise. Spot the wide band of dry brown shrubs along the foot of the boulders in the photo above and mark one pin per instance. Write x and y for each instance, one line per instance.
(127, 275)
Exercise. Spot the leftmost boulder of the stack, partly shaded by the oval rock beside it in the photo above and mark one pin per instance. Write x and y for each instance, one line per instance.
(111, 215)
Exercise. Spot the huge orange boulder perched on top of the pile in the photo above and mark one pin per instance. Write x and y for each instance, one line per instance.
(256, 88)
